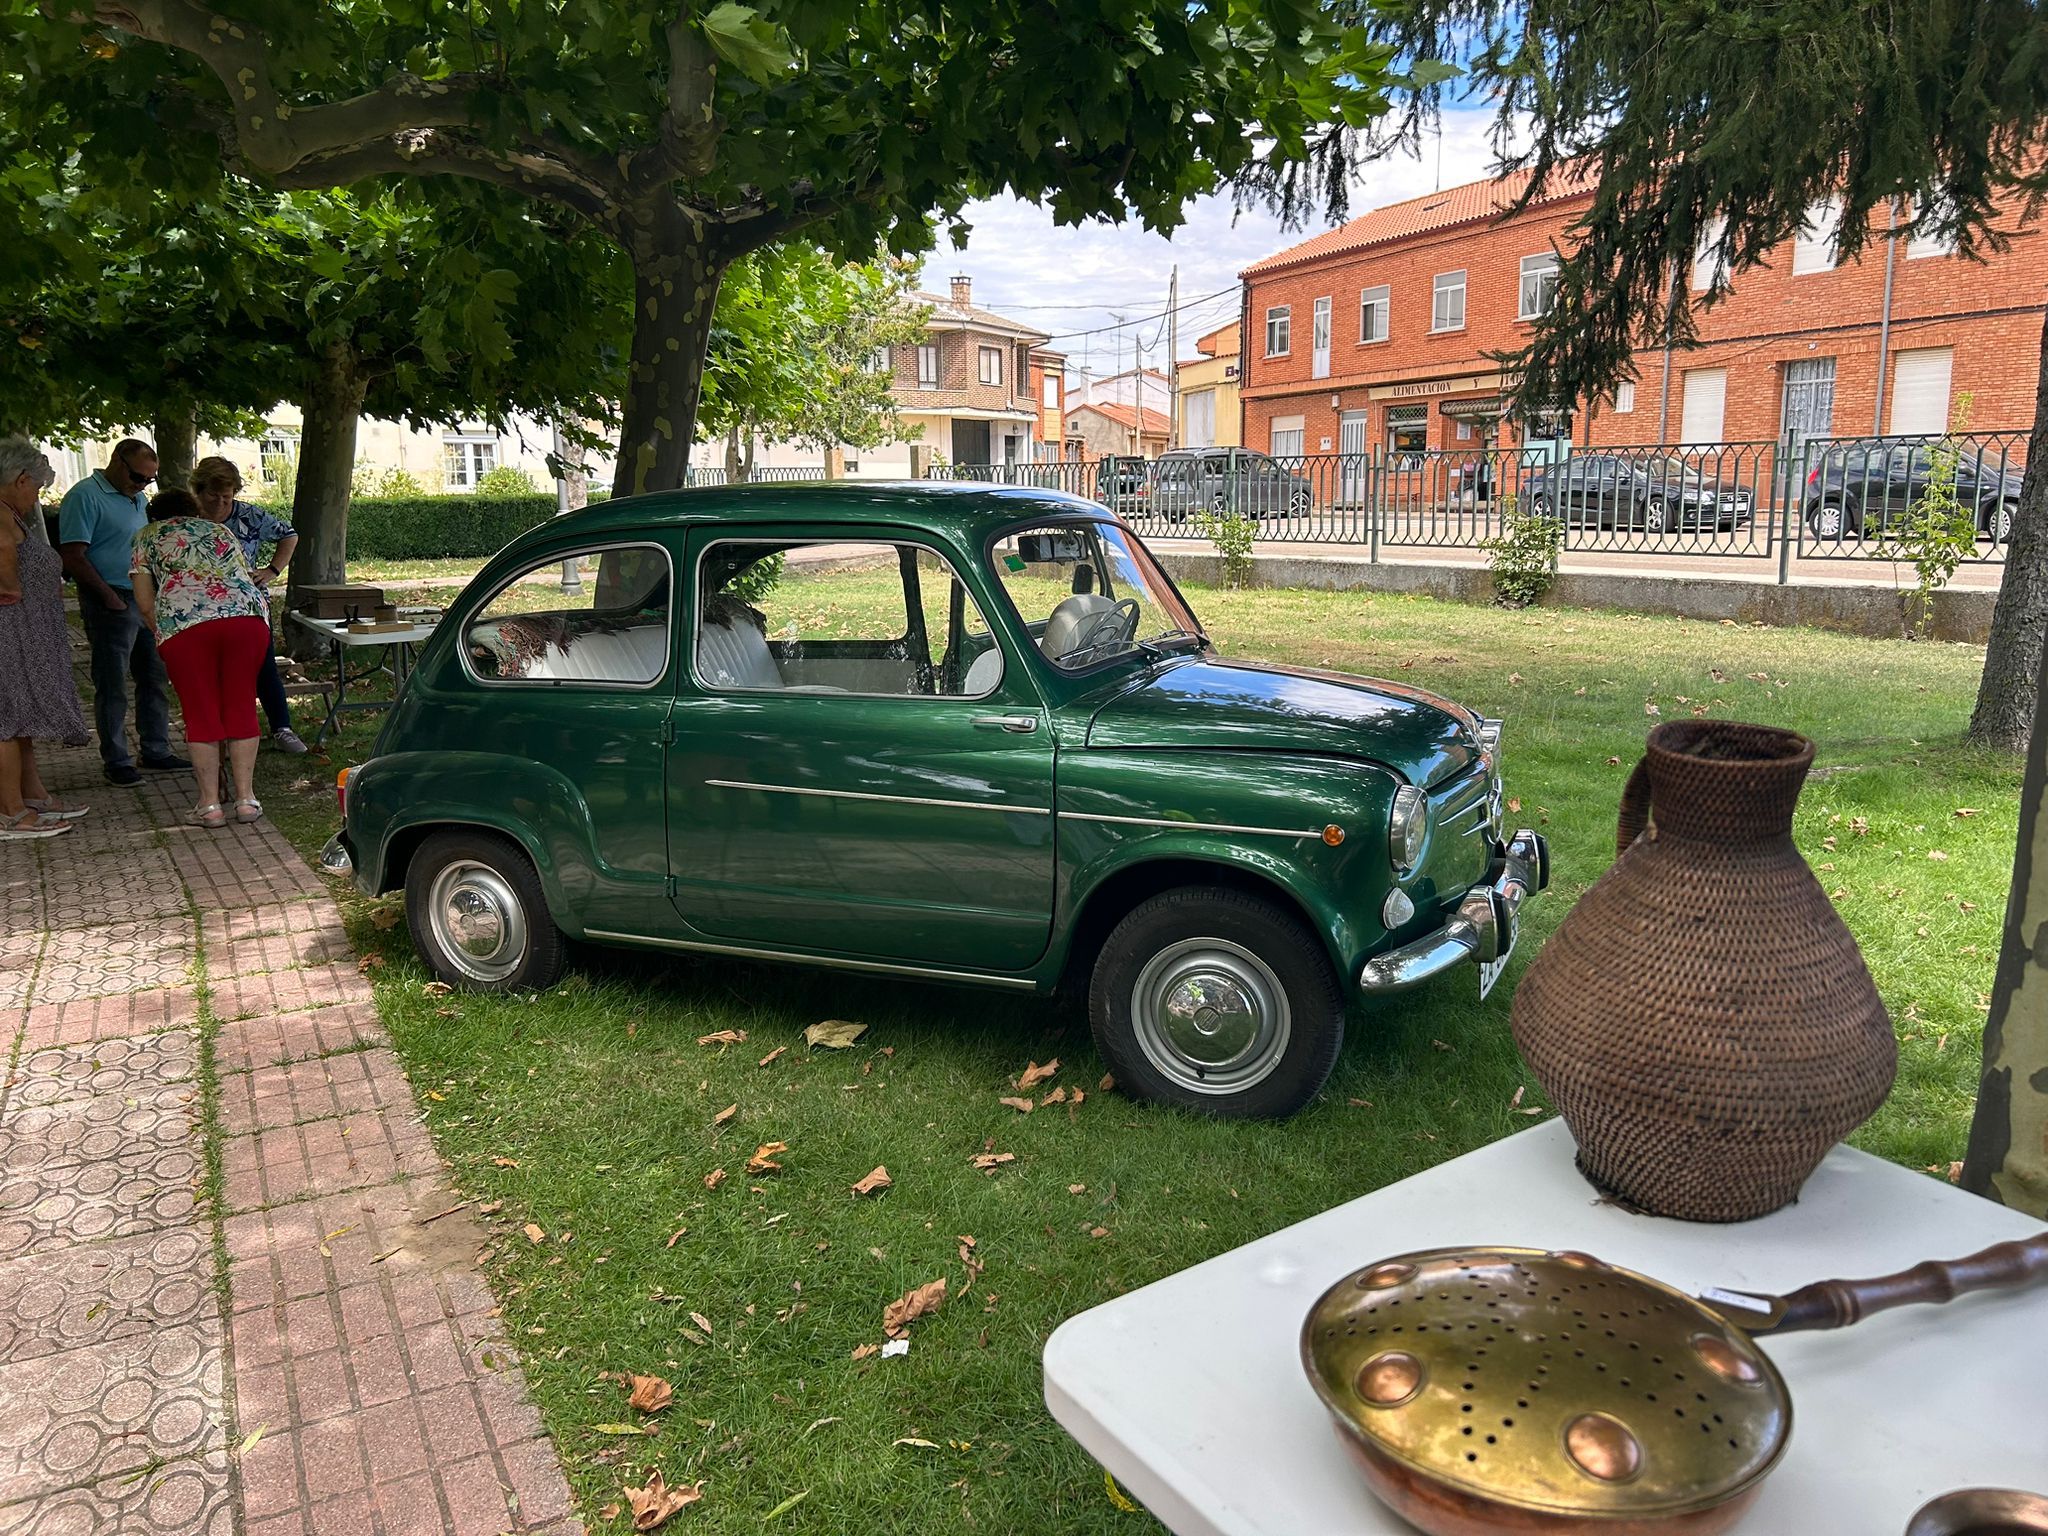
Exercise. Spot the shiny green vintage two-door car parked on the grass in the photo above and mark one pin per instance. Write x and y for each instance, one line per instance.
(953, 732)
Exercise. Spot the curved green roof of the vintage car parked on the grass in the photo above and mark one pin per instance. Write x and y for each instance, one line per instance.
(949, 507)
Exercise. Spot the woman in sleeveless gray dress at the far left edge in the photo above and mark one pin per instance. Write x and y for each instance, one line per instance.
(38, 693)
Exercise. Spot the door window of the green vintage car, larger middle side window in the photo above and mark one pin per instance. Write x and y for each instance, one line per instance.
(861, 617)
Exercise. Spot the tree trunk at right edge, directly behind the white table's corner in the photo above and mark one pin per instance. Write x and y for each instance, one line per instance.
(2008, 1158)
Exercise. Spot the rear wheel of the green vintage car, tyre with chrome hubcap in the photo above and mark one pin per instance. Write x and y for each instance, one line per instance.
(478, 914)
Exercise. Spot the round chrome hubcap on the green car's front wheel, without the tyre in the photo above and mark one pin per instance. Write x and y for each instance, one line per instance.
(1211, 1017)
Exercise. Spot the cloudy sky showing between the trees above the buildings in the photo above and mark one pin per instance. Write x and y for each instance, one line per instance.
(1078, 284)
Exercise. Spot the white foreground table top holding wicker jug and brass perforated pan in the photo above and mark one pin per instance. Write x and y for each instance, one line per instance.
(1191, 1392)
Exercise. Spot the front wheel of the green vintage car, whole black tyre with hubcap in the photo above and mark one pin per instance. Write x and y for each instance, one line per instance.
(1261, 970)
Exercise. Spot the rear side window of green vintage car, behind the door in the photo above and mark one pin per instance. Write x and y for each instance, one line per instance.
(609, 632)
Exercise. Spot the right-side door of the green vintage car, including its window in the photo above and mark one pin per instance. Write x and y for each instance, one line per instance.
(859, 767)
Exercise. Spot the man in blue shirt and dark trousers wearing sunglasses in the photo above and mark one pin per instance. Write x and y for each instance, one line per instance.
(97, 529)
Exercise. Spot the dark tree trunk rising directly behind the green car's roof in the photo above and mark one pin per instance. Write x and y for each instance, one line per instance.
(675, 290)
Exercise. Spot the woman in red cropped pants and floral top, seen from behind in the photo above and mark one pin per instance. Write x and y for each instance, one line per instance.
(212, 628)
